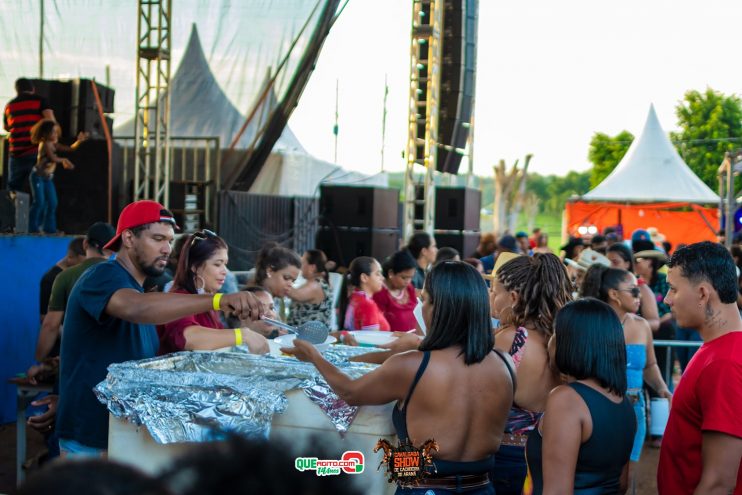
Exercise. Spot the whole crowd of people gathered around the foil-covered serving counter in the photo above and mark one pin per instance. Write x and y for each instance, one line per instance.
(529, 369)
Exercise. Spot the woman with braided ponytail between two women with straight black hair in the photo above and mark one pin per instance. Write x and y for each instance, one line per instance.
(525, 296)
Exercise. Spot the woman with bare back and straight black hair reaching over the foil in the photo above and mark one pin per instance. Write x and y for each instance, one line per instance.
(455, 381)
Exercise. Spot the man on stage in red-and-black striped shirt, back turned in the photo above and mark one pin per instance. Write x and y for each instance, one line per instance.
(20, 114)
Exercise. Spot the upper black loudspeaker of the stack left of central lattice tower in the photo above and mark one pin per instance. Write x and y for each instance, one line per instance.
(367, 207)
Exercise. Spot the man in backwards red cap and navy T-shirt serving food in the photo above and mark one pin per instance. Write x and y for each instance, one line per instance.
(109, 319)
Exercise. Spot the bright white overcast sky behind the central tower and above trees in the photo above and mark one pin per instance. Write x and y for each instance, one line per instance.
(549, 75)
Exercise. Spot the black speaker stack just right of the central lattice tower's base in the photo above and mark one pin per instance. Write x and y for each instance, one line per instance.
(457, 218)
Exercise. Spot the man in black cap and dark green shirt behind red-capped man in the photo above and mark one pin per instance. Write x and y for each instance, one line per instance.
(99, 234)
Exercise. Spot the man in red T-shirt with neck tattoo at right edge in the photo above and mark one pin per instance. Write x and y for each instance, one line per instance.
(702, 448)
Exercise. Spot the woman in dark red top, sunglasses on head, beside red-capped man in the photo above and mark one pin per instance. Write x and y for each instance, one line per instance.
(202, 269)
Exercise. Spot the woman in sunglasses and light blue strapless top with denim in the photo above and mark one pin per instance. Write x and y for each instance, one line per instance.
(619, 289)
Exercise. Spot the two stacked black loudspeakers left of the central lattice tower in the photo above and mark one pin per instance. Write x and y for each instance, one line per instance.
(358, 221)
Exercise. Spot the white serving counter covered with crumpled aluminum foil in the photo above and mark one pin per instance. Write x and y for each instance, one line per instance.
(160, 407)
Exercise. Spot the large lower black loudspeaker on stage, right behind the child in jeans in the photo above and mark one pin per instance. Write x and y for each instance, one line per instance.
(83, 192)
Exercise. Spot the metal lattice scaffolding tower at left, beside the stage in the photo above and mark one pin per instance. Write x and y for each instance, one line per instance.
(152, 122)
